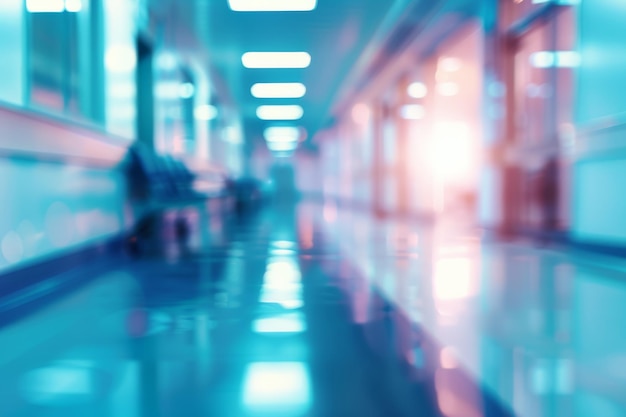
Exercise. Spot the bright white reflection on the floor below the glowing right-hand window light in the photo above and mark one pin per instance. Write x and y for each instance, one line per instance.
(453, 278)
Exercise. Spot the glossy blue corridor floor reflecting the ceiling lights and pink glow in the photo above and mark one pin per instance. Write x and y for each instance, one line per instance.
(310, 310)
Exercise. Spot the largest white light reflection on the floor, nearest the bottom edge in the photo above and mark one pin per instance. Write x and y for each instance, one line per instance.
(281, 387)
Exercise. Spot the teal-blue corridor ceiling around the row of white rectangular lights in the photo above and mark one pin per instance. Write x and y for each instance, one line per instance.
(335, 34)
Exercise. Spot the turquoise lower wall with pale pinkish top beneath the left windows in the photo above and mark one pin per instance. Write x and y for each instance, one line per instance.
(63, 187)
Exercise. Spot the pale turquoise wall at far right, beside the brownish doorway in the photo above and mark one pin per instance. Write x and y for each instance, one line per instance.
(599, 198)
